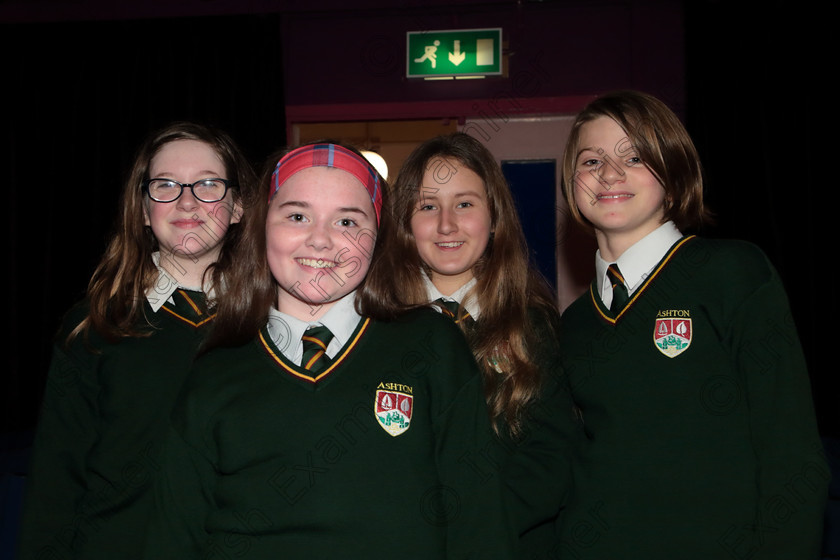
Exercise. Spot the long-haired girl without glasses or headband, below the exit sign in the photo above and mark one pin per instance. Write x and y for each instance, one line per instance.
(458, 239)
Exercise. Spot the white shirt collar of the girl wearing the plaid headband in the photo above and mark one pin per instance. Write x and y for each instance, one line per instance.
(286, 331)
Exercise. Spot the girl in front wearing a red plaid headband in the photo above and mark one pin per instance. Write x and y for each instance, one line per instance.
(322, 422)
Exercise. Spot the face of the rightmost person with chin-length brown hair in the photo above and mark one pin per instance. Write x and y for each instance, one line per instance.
(614, 190)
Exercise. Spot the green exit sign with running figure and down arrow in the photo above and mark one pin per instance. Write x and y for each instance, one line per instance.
(455, 52)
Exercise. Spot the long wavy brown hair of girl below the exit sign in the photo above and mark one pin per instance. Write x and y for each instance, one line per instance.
(507, 286)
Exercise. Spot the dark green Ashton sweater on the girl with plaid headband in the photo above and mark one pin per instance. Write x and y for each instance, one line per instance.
(371, 459)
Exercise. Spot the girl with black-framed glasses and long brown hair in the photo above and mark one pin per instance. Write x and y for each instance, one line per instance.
(124, 352)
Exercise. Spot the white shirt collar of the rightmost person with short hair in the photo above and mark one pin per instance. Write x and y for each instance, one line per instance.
(637, 262)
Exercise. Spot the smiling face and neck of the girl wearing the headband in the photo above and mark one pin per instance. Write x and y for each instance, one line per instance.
(320, 234)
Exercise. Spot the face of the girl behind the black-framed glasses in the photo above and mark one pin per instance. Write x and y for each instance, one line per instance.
(189, 232)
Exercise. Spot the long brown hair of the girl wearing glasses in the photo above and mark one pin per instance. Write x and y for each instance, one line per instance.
(117, 289)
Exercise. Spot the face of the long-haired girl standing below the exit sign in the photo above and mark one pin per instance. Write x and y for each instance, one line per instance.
(451, 225)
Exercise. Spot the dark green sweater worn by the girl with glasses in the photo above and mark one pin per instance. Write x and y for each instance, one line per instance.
(103, 418)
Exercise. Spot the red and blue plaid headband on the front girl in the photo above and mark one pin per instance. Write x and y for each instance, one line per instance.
(328, 155)
